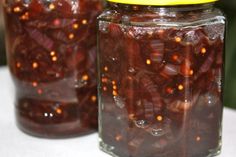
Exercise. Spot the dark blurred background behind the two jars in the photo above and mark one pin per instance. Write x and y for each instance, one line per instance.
(229, 7)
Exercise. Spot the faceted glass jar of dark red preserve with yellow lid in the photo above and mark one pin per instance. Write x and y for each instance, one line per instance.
(160, 78)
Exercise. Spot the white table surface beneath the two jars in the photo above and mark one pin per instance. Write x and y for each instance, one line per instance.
(14, 143)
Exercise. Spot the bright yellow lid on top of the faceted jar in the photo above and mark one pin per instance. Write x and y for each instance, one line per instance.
(163, 2)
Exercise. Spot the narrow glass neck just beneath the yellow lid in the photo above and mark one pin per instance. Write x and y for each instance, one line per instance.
(208, 7)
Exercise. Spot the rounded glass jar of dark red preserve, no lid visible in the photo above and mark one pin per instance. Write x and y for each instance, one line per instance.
(51, 48)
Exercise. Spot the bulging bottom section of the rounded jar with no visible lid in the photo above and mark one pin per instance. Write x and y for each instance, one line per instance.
(46, 119)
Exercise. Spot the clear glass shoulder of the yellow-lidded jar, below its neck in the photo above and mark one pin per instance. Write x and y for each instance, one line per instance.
(160, 18)
